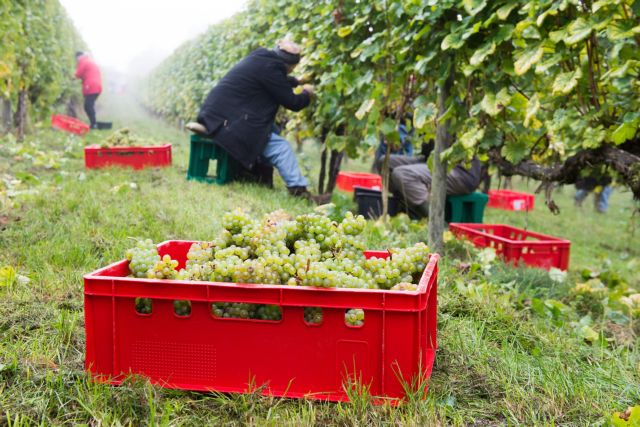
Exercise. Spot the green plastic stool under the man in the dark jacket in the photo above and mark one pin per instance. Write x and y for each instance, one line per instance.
(202, 151)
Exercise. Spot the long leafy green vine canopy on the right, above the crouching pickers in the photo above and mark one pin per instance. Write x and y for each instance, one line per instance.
(541, 79)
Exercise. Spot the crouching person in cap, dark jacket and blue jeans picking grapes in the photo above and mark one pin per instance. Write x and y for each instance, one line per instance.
(240, 110)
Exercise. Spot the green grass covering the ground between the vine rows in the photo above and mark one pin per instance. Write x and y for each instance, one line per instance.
(499, 361)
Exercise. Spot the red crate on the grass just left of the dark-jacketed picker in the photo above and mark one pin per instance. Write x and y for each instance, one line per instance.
(135, 157)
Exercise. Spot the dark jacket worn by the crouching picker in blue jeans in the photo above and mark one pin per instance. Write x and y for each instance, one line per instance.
(240, 110)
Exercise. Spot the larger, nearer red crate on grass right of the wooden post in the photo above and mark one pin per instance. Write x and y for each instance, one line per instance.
(517, 245)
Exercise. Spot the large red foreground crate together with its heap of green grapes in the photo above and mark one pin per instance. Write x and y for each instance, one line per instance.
(293, 307)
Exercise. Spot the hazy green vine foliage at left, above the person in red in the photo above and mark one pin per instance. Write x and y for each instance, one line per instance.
(37, 53)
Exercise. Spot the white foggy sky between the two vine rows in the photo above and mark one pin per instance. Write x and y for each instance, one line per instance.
(131, 37)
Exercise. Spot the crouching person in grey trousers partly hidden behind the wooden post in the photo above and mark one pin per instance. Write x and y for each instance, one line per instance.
(410, 179)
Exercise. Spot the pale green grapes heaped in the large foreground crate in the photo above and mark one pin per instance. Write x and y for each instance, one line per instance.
(308, 250)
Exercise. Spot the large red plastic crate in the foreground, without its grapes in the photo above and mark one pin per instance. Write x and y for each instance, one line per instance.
(289, 357)
